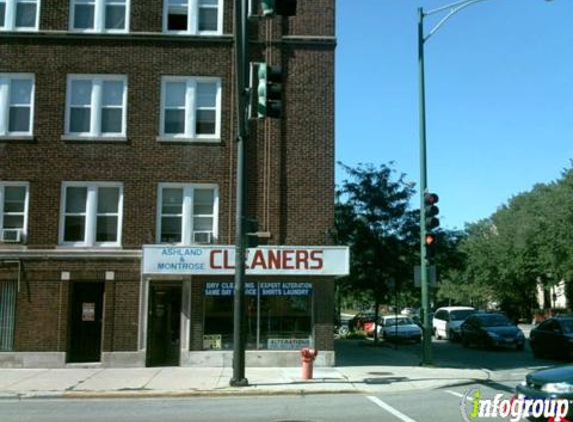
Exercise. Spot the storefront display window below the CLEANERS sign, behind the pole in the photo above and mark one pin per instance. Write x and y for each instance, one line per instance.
(279, 316)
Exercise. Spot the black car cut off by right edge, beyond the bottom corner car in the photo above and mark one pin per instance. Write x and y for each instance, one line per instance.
(553, 337)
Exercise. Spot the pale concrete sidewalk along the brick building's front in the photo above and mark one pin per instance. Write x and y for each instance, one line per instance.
(93, 382)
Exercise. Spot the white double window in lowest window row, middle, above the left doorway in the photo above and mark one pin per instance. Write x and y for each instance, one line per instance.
(91, 214)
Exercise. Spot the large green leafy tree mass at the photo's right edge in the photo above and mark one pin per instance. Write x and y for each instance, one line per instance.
(524, 242)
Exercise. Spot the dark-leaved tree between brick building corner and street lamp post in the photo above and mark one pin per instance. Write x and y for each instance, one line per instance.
(373, 217)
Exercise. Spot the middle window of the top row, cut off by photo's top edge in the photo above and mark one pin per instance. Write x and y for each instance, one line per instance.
(99, 15)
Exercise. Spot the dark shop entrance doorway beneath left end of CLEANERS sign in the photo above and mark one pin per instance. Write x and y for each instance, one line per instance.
(164, 325)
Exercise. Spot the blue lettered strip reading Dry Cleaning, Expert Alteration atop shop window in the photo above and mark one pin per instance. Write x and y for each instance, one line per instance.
(264, 289)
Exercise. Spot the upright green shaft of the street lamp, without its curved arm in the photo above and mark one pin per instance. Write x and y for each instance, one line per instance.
(427, 355)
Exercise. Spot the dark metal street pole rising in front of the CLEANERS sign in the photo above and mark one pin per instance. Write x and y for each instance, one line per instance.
(242, 95)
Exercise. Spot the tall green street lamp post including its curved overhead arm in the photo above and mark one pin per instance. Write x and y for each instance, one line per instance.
(449, 10)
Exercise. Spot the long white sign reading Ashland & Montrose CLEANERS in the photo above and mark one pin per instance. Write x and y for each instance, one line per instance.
(220, 260)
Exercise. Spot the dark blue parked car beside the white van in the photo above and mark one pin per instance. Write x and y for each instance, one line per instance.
(489, 330)
